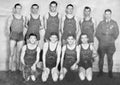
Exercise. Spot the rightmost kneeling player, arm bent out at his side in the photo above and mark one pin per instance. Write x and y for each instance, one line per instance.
(87, 55)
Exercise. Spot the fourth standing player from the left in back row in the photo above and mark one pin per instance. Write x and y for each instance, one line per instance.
(69, 24)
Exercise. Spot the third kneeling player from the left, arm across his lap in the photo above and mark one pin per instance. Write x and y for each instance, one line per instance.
(70, 56)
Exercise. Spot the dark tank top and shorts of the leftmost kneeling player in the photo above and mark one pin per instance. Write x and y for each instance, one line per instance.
(29, 59)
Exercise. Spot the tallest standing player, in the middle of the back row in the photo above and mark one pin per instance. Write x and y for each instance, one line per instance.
(52, 20)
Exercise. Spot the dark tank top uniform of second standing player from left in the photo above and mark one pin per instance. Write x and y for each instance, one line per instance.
(34, 27)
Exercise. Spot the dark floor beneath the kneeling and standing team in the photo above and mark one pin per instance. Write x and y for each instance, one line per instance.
(16, 79)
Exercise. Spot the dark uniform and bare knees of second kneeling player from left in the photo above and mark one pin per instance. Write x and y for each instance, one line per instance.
(51, 61)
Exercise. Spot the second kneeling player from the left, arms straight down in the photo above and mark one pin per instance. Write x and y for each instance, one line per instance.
(51, 58)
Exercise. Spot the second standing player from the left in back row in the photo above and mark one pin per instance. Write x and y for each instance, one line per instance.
(35, 24)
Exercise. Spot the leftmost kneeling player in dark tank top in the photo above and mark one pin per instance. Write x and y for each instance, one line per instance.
(30, 58)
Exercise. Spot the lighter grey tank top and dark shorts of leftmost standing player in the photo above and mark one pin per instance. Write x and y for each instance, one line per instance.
(16, 29)
